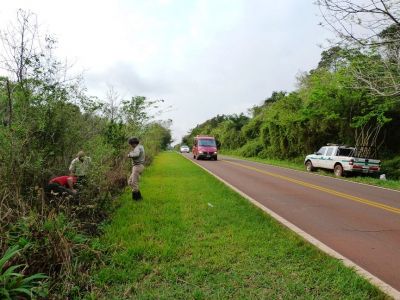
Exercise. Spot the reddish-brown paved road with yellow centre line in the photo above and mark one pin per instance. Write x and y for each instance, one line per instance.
(360, 222)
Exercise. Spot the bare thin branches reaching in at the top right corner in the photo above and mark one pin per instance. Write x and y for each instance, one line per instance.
(373, 27)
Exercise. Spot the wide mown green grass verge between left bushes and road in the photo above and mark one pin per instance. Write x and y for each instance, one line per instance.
(194, 238)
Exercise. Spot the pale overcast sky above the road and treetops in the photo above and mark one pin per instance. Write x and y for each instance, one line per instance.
(203, 57)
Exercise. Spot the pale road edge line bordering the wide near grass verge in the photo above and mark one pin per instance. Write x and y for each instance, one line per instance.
(388, 289)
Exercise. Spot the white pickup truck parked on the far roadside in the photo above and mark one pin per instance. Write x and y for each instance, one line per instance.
(341, 159)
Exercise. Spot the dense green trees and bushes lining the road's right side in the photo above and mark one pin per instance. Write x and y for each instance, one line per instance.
(329, 106)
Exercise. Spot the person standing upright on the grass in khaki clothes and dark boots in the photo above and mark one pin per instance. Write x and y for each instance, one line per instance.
(138, 156)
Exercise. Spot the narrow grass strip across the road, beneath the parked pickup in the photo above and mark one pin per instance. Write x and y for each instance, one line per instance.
(298, 165)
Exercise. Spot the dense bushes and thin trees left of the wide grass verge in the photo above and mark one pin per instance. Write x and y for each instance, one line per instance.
(45, 119)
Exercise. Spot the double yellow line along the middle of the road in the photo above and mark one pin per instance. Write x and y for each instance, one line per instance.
(320, 188)
